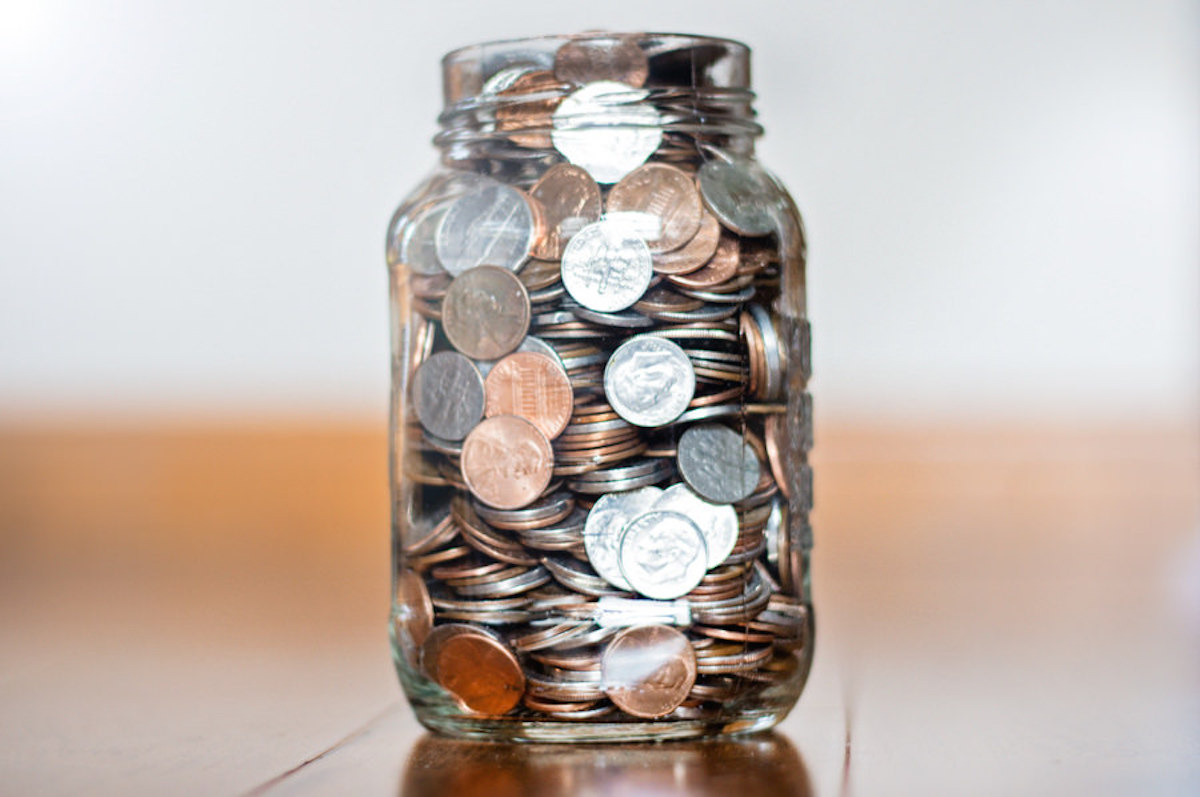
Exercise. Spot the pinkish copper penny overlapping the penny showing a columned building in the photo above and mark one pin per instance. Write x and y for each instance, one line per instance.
(507, 463)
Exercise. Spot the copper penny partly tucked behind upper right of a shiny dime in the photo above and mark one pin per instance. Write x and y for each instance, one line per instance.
(659, 203)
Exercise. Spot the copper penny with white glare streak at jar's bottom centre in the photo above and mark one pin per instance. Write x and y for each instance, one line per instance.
(649, 670)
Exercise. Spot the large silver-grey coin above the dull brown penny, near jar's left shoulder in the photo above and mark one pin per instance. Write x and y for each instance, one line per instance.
(493, 226)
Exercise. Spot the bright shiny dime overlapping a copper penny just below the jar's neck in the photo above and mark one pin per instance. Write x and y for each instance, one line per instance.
(605, 268)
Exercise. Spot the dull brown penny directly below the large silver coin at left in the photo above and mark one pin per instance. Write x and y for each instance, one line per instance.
(487, 313)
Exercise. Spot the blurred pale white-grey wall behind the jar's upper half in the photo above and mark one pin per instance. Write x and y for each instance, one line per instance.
(1001, 199)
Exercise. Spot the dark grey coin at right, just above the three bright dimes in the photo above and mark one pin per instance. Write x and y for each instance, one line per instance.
(718, 464)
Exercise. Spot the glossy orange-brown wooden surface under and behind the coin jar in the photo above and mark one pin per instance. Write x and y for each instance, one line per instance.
(201, 609)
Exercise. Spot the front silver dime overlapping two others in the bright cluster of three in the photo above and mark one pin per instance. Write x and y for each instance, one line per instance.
(663, 555)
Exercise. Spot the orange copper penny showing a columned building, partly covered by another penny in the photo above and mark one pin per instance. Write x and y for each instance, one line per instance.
(533, 387)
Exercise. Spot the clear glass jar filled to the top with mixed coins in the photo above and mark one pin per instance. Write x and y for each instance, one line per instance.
(599, 420)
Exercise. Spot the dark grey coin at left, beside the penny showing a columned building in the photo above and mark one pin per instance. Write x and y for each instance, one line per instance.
(448, 395)
